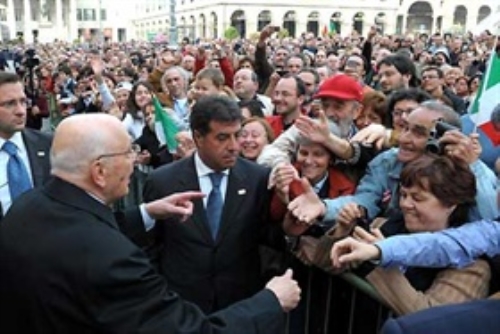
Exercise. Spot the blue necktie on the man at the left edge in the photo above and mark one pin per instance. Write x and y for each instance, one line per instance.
(17, 175)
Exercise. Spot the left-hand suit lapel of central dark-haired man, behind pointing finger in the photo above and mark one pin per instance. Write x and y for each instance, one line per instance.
(189, 181)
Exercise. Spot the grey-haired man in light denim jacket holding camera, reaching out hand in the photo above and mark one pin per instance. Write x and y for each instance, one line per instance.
(378, 191)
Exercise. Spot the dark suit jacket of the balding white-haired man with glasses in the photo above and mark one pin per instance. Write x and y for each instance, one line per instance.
(66, 268)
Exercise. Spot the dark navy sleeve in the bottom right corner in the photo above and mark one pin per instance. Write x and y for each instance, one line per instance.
(478, 317)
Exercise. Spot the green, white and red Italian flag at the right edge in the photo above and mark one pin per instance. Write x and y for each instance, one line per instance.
(487, 98)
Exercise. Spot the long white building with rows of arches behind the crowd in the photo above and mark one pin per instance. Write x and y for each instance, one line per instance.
(210, 18)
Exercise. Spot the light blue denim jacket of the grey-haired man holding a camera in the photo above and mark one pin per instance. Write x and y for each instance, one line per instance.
(378, 190)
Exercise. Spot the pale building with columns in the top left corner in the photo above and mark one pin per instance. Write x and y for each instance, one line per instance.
(68, 20)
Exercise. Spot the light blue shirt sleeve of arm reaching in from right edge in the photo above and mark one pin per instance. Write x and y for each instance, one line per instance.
(456, 247)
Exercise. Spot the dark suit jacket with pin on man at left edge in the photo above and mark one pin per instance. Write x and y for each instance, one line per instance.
(38, 147)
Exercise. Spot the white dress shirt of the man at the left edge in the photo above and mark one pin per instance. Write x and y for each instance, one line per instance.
(16, 139)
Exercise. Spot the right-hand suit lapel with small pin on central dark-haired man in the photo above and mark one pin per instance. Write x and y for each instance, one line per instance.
(236, 193)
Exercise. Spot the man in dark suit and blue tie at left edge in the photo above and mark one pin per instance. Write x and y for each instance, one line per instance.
(30, 148)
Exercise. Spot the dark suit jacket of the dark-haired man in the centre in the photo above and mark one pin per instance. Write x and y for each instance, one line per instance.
(212, 274)
